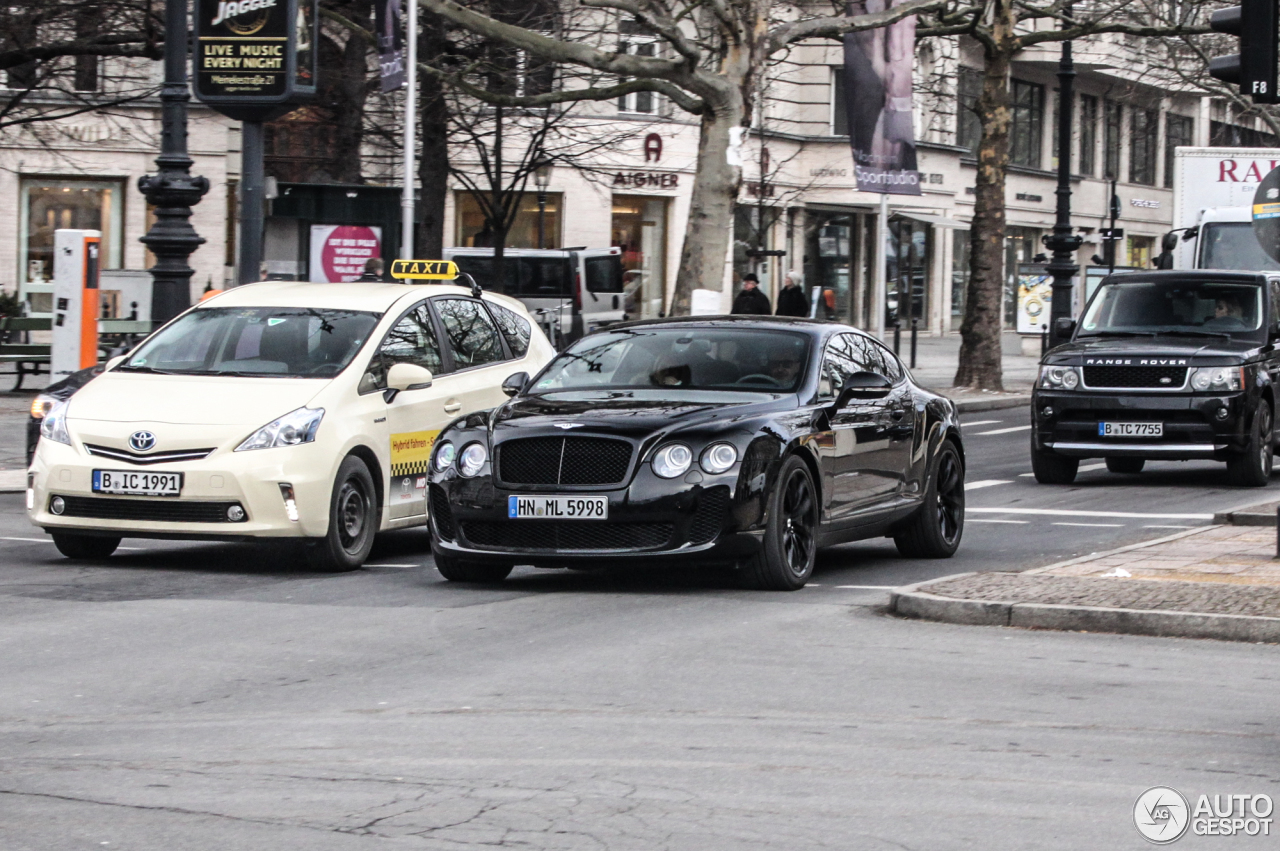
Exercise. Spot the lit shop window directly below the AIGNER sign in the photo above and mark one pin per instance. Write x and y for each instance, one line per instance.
(639, 228)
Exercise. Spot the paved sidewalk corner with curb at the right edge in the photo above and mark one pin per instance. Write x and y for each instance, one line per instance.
(1208, 583)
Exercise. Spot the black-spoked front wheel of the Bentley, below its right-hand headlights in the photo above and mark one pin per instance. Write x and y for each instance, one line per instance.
(790, 546)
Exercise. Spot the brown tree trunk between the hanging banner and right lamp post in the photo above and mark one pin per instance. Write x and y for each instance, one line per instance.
(980, 333)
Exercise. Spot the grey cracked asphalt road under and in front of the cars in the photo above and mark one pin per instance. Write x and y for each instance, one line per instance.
(213, 697)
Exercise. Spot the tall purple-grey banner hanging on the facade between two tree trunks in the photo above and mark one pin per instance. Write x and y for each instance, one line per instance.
(879, 67)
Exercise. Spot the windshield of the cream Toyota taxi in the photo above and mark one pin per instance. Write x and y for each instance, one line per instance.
(259, 342)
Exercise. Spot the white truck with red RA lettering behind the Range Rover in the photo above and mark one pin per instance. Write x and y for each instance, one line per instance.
(1213, 209)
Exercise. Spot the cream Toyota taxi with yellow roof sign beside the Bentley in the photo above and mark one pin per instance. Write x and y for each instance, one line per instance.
(278, 410)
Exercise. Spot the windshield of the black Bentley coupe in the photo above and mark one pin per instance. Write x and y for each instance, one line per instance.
(682, 359)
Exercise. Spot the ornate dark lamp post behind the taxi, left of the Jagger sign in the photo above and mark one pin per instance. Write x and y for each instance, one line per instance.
(173, 190)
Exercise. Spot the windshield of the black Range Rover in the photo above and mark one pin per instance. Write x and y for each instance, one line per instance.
(1191, 309)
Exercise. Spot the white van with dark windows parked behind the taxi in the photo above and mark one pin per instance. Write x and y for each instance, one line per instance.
(573, 291)
